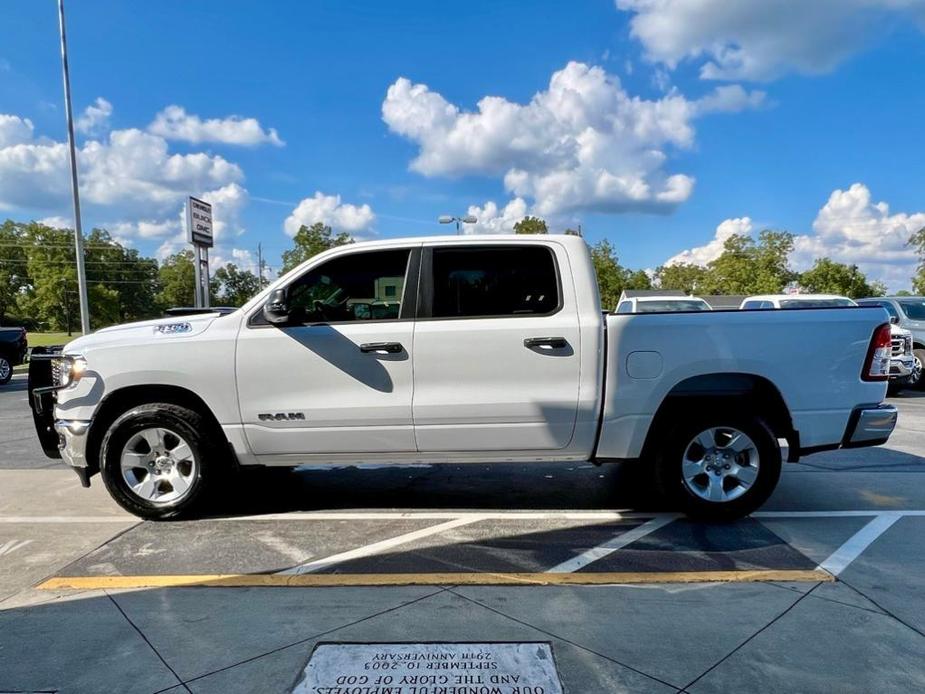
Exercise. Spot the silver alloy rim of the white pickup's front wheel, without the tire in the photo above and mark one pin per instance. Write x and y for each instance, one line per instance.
(158, 465)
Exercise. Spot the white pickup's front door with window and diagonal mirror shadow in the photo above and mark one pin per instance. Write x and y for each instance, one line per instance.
(337, 378)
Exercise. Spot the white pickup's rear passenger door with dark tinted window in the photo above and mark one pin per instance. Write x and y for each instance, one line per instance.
(496, 349)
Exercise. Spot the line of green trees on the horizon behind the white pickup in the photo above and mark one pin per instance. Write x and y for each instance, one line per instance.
(38, 277)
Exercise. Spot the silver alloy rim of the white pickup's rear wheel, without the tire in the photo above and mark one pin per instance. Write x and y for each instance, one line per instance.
(720, 464)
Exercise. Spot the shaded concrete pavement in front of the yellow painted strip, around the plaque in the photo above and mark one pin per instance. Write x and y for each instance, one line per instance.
(696, 637)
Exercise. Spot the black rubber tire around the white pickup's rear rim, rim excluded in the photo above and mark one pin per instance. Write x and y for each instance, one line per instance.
(668, 465)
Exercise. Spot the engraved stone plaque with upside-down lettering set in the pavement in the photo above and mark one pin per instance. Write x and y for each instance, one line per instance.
(430, 668)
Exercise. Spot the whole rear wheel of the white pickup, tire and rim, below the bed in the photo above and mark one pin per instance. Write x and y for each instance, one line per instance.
(719, 466)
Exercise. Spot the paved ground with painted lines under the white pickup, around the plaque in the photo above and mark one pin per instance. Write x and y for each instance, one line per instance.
(820, 591)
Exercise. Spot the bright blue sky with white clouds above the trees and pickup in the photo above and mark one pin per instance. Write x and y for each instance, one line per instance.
(662, 125)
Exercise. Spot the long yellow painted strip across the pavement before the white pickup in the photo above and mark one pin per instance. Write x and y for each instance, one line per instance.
(415, 579)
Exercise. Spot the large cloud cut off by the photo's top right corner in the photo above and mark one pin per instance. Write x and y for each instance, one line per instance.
(759, 40)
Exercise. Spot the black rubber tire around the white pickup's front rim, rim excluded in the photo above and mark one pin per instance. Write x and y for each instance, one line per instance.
(183, 422)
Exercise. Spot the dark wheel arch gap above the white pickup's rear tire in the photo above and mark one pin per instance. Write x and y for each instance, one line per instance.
(738, 390)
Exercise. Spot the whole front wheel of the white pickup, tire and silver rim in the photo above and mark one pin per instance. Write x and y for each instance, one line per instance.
(156, 461)
